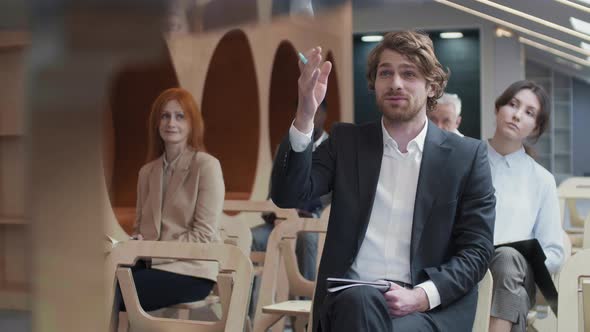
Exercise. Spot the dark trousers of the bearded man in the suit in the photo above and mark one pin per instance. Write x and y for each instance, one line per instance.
(364, 309)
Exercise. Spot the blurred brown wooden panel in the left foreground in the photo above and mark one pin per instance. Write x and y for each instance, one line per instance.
(69, 90)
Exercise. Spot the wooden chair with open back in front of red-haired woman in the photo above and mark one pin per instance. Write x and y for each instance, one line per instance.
(232, 263)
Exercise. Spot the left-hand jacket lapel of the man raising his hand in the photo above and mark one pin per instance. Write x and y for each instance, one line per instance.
(369, 157)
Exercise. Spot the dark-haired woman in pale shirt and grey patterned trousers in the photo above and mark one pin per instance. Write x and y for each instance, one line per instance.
(526, 203)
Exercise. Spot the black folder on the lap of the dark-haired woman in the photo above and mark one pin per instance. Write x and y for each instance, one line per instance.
(533, 253)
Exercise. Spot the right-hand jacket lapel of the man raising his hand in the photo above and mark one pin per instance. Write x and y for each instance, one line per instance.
(432, 167)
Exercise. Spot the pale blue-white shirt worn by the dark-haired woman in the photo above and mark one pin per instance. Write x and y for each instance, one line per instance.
(527, 206)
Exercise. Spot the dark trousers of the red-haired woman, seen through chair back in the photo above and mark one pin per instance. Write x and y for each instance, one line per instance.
(158, 289)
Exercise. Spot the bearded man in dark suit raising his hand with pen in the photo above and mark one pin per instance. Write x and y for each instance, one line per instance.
(393, 217)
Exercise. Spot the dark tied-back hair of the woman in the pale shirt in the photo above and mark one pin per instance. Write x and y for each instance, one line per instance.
(543, 114)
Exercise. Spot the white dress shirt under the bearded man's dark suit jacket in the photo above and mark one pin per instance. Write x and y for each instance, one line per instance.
(385, 251)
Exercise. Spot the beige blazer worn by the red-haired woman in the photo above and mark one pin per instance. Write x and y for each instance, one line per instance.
(190, 211)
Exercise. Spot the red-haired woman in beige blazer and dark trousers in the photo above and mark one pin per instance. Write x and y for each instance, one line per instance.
(180, 195)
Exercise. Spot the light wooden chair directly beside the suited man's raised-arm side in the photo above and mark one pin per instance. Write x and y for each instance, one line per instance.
(272, 303)
